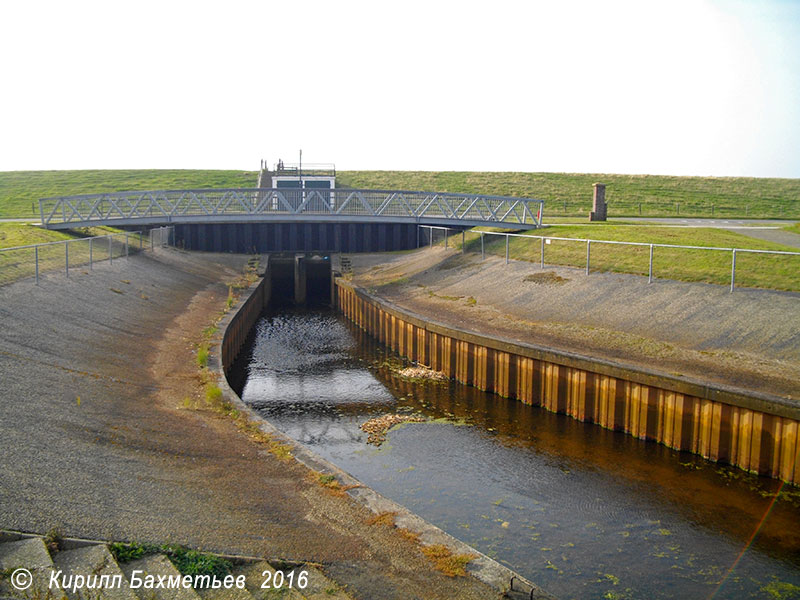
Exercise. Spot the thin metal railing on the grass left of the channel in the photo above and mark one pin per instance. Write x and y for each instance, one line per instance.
(34, 260)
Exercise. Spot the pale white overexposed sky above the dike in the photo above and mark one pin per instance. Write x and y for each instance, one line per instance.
(661, 87)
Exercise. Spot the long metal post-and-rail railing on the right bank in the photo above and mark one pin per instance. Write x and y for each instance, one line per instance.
(774, 269)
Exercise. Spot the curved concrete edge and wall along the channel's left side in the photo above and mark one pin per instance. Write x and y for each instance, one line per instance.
(235, 328)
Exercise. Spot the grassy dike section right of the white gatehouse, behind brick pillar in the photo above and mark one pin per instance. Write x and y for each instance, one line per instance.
(570, 194)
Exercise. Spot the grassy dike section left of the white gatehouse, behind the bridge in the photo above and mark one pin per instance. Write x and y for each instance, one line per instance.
(20, 191)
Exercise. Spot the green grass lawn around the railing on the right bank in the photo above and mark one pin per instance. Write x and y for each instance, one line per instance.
(752, 270)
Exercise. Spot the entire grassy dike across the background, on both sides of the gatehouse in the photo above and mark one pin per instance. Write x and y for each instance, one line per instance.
(565, 194)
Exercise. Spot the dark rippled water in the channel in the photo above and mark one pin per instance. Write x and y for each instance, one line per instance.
(584, 512)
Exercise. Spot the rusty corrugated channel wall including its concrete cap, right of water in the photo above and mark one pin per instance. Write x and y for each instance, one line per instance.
(758, 433)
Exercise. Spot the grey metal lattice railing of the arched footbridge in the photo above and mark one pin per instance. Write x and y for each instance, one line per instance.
(175, 206)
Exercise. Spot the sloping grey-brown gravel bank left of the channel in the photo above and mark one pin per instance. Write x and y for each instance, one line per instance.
(97, 370)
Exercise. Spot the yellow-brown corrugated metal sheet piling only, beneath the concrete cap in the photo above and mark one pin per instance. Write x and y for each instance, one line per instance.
(755, 441)
